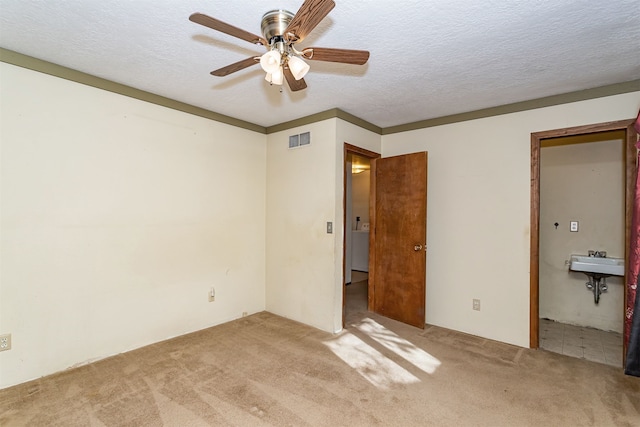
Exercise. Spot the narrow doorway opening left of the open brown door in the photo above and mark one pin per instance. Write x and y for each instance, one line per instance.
(357, 184)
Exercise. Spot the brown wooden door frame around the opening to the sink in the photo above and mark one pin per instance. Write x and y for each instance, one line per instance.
(630, 172)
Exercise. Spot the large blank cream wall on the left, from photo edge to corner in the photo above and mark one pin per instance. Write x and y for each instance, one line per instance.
(117, 216)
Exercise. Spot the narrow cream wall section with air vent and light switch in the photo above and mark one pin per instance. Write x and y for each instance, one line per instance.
(304, 192)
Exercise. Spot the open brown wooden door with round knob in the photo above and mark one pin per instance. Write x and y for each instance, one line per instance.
(397, 257)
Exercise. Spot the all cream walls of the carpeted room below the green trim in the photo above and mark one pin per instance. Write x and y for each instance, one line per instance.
(117, 216)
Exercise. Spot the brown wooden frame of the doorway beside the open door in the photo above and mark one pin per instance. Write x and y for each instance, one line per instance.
(352, 149)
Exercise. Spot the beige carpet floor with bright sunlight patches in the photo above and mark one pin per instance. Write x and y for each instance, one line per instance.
(265, 370)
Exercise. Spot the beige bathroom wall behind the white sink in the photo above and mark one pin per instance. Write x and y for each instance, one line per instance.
(581, 182)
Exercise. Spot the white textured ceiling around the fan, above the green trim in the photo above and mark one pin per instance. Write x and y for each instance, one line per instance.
(428, 58)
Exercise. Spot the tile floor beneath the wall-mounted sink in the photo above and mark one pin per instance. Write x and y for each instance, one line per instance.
(581, 342)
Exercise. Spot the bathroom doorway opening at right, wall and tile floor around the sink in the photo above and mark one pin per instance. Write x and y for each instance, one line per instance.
(581, 208)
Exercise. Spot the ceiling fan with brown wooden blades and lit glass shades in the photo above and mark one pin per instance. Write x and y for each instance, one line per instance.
(281, 30)
